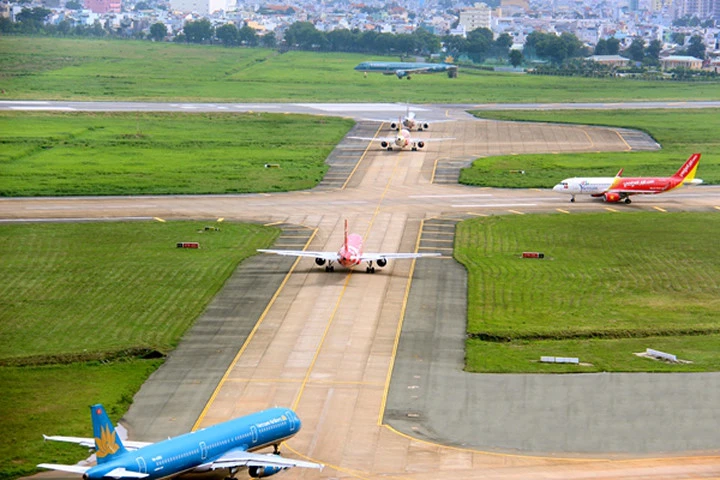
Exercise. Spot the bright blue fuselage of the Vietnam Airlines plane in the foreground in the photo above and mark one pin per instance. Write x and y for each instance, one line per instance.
(193, 450)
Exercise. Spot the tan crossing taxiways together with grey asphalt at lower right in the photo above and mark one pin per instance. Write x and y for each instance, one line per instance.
(328, 342)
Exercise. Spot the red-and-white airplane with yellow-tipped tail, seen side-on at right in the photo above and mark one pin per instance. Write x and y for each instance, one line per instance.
(618, 189)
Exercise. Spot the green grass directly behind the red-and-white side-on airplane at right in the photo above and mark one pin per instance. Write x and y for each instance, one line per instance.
(679, 132)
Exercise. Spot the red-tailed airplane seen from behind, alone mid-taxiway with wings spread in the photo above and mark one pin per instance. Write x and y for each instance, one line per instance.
(350, 254)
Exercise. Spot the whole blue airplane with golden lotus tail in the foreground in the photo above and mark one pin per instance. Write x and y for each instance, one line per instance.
(227, 445)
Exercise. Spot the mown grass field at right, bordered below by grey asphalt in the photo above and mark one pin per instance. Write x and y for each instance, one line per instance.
(610, 285)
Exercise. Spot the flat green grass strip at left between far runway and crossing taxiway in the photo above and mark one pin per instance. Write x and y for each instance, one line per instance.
(152, 153)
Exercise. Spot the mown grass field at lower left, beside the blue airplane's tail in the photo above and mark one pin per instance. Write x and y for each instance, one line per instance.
(79, 301)
